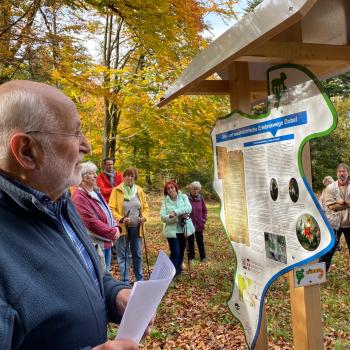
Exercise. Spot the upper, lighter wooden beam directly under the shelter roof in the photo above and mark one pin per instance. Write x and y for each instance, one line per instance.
(301, 53)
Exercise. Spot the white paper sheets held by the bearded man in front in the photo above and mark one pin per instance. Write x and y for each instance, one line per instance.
(144, 300)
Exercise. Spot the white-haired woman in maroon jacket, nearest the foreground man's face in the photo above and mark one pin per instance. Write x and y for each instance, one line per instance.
(95, 212)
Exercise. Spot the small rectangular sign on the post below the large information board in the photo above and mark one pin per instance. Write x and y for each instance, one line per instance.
(308, 275)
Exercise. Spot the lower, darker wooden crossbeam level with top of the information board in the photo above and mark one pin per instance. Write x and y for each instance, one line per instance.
(222, 87)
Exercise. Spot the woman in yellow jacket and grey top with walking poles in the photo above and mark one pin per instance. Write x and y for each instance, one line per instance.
(128, 204)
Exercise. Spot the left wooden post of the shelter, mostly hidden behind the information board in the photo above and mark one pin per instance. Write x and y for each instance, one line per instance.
(239, 83)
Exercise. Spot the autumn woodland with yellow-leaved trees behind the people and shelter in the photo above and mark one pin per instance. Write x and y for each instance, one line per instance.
(143, 46)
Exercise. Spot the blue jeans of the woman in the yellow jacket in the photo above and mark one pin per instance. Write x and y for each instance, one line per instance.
(132, 238)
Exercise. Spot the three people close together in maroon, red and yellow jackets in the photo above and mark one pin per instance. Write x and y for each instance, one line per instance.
(114, 210)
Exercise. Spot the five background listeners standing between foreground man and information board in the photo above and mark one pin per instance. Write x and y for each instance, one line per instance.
(114, 210)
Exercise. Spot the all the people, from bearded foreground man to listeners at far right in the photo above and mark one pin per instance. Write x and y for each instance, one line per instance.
(54, 291)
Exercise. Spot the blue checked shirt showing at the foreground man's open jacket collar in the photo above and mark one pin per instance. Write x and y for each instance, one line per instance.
(54, 209)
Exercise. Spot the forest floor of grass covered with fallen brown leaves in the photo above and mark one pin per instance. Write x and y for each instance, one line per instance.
(194, 314)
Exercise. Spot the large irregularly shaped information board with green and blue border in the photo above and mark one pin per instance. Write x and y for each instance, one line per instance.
(268, 209)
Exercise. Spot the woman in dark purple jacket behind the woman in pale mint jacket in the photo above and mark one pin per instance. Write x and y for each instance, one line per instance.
(199, 215)
